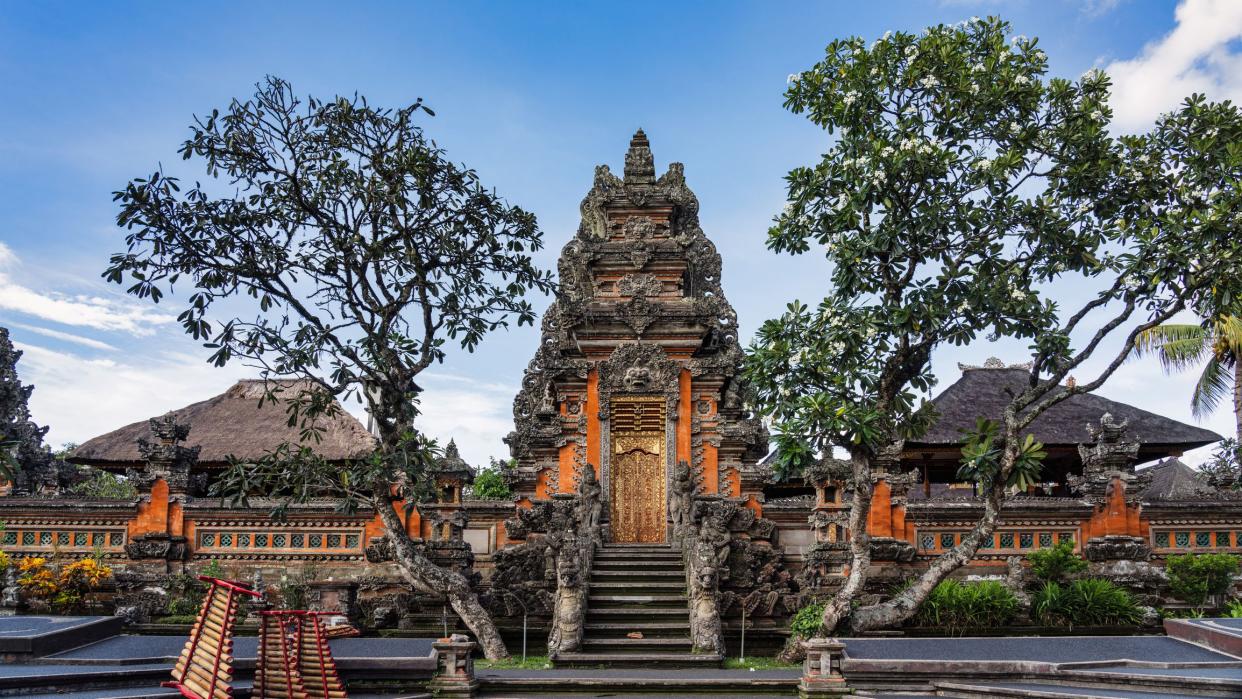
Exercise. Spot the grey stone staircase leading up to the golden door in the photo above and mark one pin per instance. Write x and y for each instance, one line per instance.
(638, 589)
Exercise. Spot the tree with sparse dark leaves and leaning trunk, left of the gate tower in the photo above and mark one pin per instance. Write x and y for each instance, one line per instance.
(347, 251)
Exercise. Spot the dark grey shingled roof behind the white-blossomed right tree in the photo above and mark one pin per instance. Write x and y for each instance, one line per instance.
(986, 392)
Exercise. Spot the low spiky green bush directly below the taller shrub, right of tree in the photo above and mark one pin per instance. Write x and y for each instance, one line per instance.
(1085, 603)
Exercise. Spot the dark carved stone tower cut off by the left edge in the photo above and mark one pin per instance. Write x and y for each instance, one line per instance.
(24, 459)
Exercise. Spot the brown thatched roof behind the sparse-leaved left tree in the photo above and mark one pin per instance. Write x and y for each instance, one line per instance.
(233, 424)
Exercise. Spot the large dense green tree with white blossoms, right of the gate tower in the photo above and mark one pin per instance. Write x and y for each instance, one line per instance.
(962, 188)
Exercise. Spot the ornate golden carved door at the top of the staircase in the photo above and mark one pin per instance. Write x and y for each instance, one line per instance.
(637, 501)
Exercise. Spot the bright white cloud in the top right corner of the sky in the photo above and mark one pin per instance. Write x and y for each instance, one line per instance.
(1197, 56)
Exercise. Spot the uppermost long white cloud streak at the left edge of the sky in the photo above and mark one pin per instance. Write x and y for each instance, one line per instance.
(83, 311)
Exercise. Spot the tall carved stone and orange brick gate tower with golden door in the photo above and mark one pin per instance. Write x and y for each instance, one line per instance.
(638, 367)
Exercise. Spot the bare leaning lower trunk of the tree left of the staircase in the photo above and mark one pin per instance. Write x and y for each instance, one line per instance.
(429, 578)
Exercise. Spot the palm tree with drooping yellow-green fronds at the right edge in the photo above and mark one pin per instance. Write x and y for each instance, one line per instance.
(1218, 346)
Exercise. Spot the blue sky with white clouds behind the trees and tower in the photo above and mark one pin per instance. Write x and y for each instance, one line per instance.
(530, 95)
